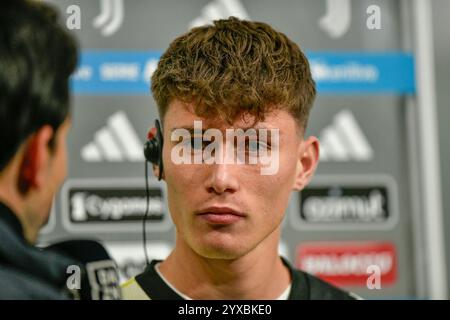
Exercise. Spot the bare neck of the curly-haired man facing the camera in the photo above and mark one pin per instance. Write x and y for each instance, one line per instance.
(260, 274)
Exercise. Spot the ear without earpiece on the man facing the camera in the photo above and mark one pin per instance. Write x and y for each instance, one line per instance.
(308, 159)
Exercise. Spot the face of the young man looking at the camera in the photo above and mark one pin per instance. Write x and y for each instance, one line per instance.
(260, 200)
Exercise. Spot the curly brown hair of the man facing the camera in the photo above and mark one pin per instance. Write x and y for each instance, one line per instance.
(235, 67)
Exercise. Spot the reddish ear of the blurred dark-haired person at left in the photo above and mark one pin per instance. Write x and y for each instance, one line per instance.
(33, 171)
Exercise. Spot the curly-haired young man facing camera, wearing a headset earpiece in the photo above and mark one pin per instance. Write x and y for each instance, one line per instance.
(232, 75)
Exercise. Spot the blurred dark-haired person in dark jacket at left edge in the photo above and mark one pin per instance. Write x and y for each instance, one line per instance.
(37, 57)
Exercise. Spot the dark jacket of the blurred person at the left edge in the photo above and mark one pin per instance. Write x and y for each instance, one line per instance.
(25, 271)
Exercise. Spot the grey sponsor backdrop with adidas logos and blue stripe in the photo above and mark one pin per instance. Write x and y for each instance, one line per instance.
(356, 212)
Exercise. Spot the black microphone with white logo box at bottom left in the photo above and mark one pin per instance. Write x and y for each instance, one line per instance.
(96, 277)
